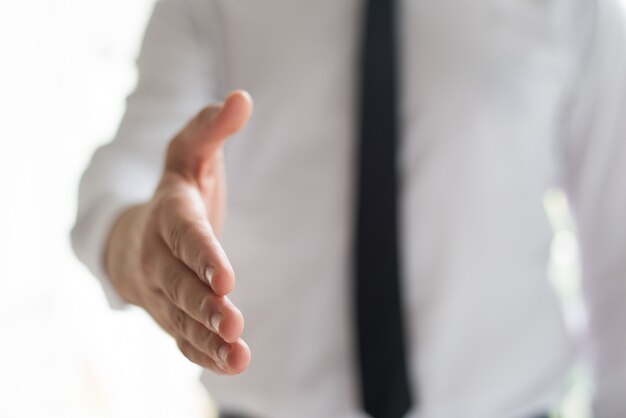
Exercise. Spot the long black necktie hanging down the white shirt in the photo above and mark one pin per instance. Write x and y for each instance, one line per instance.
(384, 383)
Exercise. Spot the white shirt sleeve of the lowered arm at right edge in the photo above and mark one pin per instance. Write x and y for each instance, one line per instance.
(595, 161)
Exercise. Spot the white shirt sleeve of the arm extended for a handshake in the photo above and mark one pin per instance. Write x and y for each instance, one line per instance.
(177, 77)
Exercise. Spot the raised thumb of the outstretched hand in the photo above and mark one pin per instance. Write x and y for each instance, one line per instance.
(194, 148)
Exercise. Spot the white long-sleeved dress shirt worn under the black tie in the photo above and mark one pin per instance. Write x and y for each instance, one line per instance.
(501, 100)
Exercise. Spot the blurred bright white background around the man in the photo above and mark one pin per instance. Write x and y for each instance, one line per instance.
(65, 68)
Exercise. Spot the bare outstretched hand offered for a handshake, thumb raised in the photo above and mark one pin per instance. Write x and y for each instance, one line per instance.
(164, 255)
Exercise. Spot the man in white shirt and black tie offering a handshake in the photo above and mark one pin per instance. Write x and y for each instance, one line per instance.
(384, 215)
